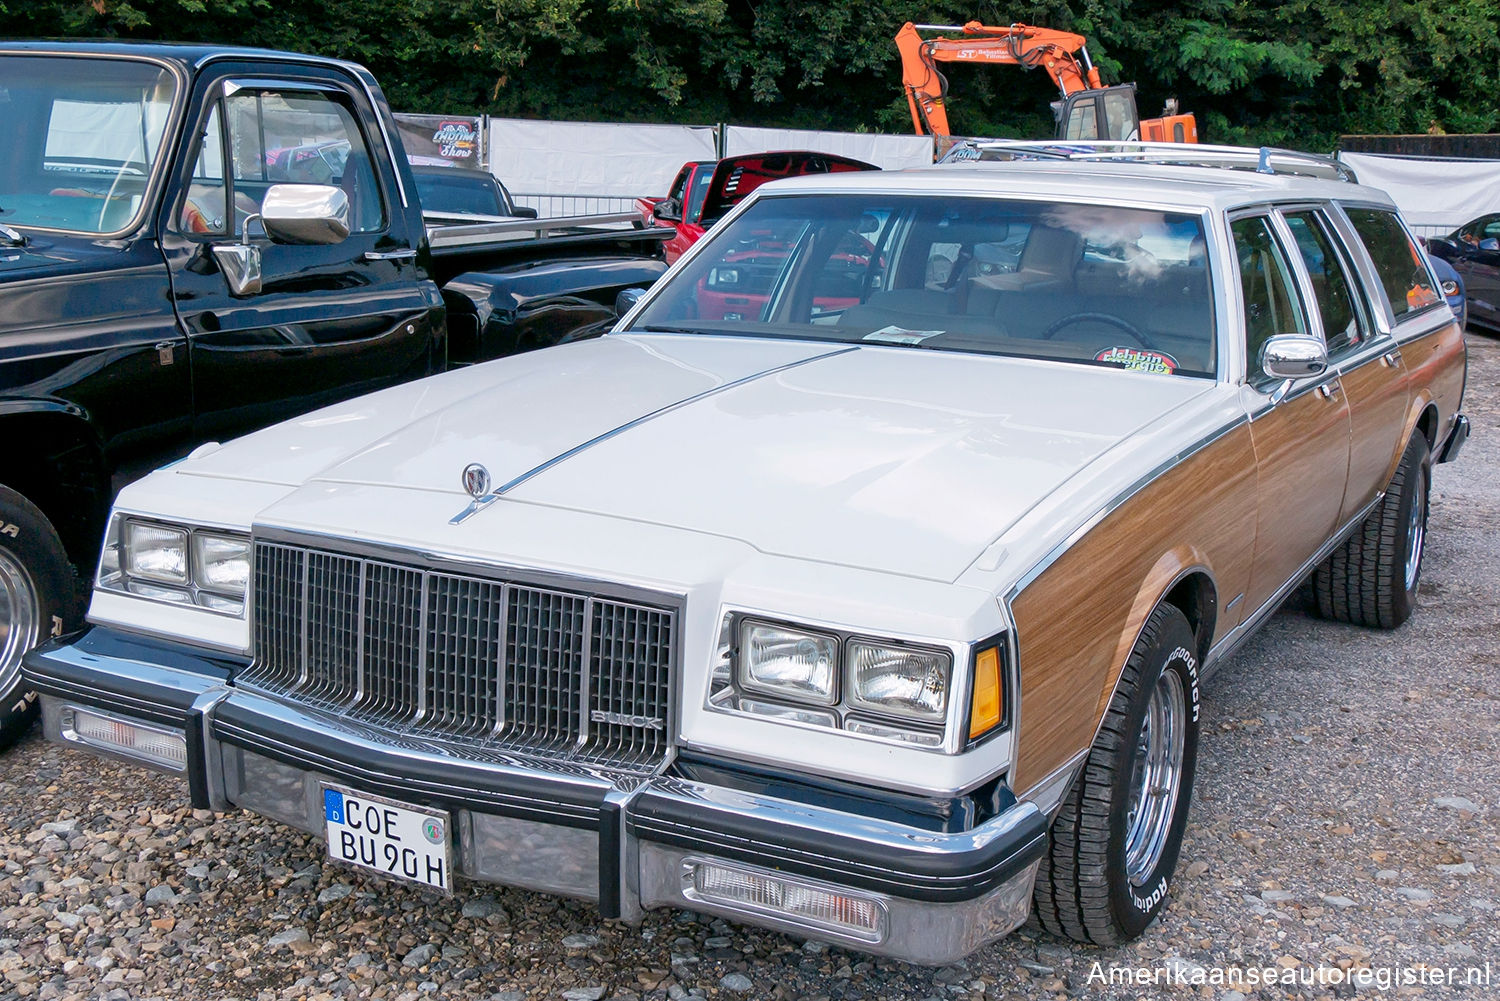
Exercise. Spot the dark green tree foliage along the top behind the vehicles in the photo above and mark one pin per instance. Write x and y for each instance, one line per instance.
(1291, 73)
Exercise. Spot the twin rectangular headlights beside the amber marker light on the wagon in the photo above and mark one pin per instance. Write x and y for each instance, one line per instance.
(862, 685)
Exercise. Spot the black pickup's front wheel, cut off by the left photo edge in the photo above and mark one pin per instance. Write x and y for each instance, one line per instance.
(38, 600)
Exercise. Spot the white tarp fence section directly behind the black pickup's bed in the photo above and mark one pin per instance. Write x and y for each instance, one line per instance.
(593, 158)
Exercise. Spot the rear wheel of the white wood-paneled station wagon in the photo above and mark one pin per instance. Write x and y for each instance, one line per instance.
(1372, 580)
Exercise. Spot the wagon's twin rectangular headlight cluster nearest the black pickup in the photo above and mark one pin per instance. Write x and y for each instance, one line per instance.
(181, 565)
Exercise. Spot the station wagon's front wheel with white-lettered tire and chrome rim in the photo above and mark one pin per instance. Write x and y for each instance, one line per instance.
(1117, 838)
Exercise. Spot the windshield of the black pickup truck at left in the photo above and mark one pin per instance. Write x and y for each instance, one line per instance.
(82, 140)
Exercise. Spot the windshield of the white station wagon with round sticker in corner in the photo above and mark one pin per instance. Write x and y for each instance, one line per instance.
(1075, 283)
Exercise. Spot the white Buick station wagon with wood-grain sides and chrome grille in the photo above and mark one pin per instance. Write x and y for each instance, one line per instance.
(860, 583)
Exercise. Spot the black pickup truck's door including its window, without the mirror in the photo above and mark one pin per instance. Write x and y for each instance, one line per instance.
(328, 322)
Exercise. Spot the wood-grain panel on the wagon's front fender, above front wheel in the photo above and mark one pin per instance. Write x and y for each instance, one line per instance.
(1078, 618)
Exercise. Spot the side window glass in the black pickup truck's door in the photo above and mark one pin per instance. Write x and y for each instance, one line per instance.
(301, 137)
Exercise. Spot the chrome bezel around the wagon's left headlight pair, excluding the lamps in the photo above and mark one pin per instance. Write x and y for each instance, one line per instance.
(116, 576)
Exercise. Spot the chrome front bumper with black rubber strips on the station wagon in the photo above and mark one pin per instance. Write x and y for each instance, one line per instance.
(797, 865)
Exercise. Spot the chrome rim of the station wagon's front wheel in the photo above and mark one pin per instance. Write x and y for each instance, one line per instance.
(1157, 778)
